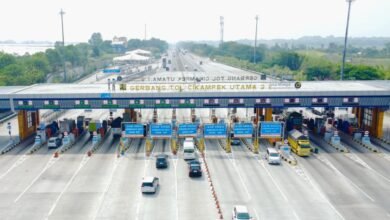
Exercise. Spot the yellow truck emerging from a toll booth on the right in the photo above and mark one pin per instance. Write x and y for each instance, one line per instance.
(299, 143)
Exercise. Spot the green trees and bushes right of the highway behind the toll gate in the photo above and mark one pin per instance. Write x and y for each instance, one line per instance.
(291, 63)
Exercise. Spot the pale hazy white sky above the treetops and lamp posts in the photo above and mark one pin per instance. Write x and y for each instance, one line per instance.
(177, 20)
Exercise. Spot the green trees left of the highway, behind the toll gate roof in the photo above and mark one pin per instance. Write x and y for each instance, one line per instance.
(30, 69)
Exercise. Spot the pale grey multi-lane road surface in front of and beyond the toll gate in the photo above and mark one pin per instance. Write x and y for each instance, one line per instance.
(328, 185)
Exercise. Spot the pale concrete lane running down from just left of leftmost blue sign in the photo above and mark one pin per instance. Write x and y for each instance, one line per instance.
(89, 185)
